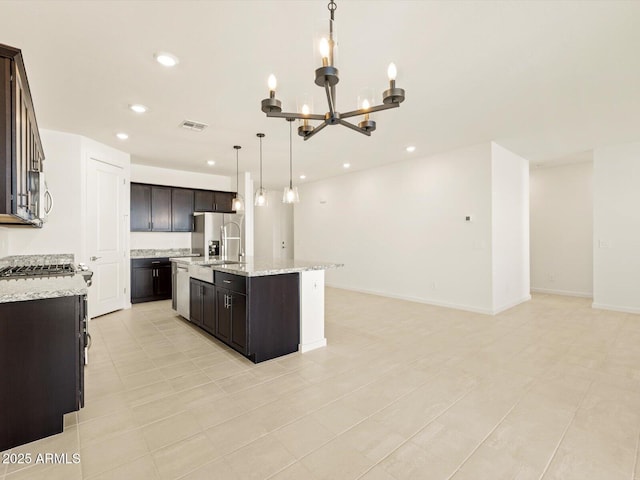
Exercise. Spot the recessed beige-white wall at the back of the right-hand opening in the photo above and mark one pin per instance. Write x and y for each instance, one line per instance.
(562, 229)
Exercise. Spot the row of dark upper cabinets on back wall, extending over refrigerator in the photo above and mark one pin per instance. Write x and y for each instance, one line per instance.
(156, 208)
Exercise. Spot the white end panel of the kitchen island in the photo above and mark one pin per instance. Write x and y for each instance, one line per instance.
(312, 310)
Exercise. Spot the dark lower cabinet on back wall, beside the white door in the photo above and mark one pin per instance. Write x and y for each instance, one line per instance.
(150, 279)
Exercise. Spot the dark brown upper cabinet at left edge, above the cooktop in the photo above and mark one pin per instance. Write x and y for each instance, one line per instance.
(21, 153)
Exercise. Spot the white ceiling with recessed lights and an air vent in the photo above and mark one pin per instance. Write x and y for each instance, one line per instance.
(546, 79)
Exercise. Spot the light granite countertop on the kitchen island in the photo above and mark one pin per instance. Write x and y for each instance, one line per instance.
(257, 267)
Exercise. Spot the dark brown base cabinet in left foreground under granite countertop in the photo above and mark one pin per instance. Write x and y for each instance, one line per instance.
(41, 366)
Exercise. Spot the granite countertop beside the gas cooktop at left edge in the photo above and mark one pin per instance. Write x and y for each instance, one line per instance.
(18, 290)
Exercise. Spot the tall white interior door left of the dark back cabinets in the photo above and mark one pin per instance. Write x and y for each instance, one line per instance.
(105, 236)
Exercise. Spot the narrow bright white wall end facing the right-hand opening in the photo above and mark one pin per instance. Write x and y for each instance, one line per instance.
(510, 225)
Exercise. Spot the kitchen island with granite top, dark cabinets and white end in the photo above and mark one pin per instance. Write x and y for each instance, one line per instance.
(284, 302)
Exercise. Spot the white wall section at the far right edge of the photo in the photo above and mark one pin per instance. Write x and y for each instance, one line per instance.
(616, 228)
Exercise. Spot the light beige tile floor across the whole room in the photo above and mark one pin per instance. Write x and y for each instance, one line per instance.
(547, 390)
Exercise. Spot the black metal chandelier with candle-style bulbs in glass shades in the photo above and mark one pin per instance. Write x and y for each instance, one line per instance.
(327, 78)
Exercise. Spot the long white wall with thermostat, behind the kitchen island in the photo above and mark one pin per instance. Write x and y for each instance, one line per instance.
(400, 229)
